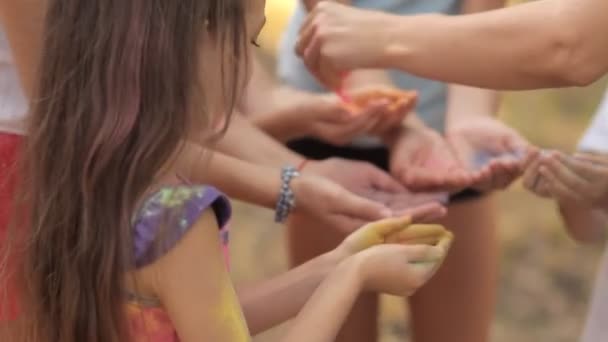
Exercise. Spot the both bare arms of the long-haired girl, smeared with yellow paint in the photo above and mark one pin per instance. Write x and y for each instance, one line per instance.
(195, 289)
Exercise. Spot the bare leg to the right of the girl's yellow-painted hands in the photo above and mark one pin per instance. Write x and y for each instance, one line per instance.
(457, 305)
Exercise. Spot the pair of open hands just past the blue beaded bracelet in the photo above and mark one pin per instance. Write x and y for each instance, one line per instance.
(333, 192)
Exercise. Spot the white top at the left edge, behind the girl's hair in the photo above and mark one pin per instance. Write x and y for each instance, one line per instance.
(13, 105)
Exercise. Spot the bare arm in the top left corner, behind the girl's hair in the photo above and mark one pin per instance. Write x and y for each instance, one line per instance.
(23, 23)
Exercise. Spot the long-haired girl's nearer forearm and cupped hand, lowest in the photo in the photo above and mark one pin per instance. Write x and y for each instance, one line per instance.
(388, 268)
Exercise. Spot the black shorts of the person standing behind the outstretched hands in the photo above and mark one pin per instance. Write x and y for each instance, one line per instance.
(379, 156)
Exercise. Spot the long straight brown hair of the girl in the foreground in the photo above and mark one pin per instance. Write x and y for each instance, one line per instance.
(118, 92)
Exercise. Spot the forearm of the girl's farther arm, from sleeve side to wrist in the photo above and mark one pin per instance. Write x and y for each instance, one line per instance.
(288, 292)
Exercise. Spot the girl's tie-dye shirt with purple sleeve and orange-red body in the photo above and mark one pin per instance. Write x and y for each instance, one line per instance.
(162, 221)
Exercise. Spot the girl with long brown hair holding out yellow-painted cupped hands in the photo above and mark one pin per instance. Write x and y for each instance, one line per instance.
(118, 245)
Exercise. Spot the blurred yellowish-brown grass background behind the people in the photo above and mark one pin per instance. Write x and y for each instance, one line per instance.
(545, 278)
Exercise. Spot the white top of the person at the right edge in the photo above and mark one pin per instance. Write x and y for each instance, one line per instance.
(596, 329)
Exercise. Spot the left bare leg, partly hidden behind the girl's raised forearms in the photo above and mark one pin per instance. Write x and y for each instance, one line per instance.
(307, 240)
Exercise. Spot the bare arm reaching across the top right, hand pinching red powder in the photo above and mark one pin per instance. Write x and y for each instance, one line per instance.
(539, 44)
